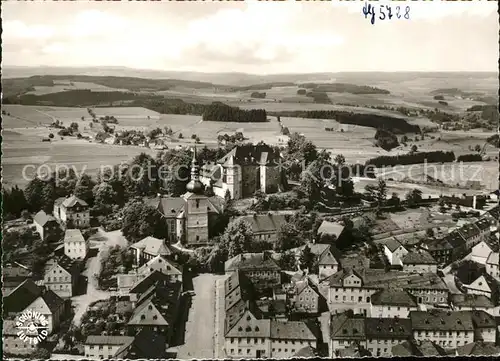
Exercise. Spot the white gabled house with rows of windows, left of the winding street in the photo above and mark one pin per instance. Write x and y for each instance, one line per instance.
(61, 276)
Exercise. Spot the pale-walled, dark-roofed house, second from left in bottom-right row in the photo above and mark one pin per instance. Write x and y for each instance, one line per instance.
(382, 334)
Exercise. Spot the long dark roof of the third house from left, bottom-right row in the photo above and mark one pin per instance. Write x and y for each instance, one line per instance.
(439, 320)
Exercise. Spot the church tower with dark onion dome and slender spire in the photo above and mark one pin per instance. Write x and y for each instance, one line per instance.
(196, 208)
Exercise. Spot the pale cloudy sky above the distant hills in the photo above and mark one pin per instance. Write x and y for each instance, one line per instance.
(252, 37)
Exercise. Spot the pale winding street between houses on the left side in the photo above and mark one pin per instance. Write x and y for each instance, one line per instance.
(82, 302)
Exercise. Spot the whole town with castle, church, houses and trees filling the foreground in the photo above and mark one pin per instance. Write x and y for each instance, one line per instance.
(295, 277)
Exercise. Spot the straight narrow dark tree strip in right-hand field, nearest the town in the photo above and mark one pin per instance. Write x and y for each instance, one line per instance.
(412, 158)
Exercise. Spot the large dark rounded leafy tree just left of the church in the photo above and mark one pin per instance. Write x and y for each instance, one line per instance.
(140, 220)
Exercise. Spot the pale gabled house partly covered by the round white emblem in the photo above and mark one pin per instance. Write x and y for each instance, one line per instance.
(51, 306)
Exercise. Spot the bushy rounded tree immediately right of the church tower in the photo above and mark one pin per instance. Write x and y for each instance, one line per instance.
(237, 238)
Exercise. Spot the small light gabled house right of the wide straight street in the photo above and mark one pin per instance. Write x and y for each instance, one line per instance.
(307, 298)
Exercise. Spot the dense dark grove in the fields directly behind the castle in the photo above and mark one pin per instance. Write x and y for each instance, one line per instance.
(221, 112)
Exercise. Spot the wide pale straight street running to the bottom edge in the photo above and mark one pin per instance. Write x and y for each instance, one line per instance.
(199, 340)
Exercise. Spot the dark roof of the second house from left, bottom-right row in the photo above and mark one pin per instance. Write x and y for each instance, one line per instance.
(388, 328)
